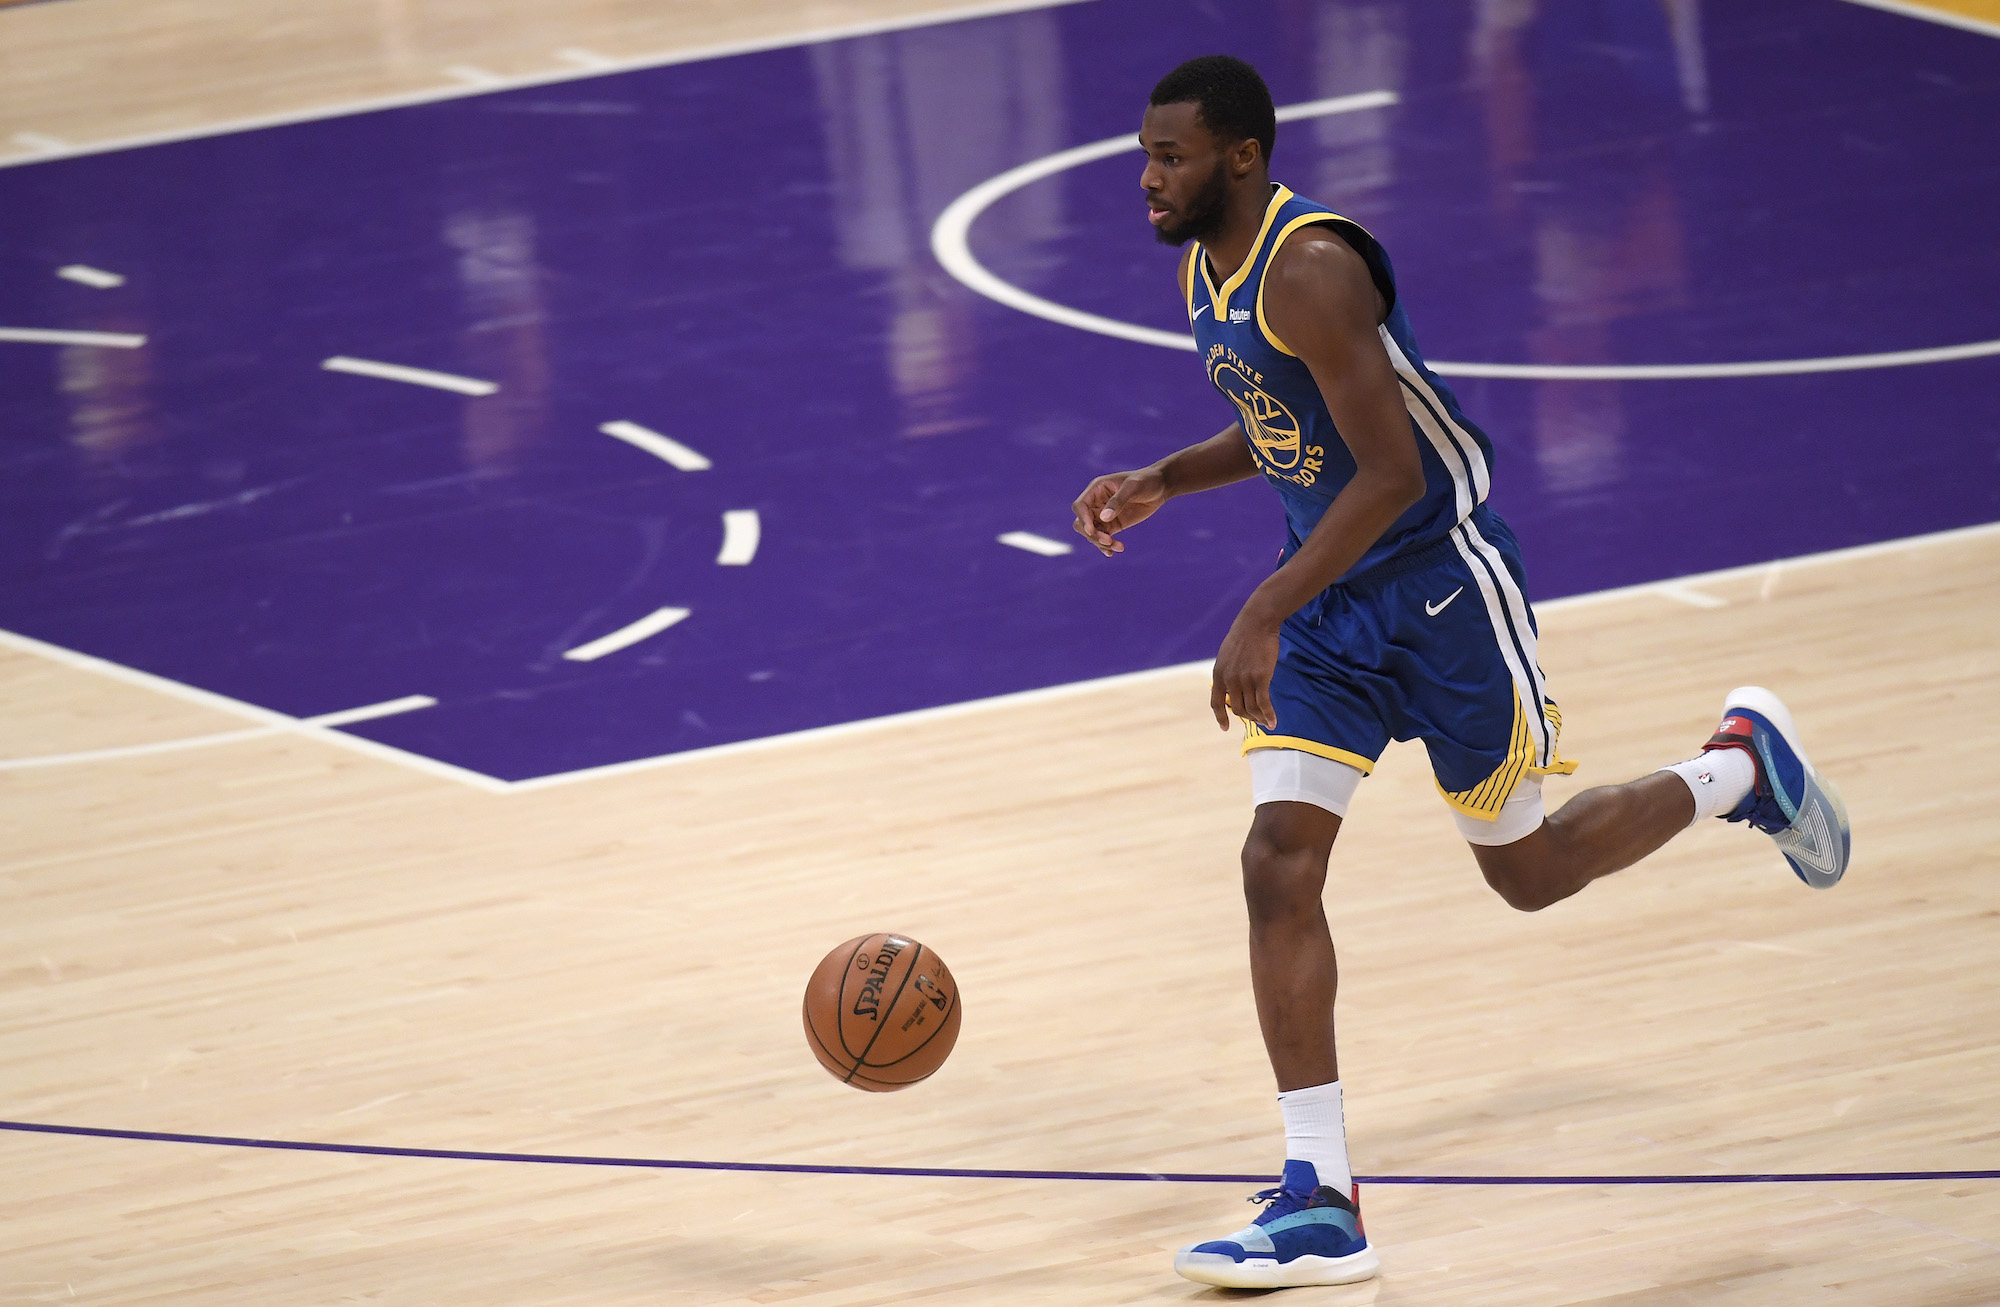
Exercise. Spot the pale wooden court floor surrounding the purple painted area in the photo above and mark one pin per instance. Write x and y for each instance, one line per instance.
(279, 938)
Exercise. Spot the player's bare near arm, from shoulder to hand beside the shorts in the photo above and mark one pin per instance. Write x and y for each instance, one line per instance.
(1323, 305)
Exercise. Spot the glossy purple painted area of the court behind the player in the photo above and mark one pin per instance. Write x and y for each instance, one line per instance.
(735, 255)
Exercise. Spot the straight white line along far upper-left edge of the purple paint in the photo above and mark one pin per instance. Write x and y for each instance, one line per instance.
(695, 55)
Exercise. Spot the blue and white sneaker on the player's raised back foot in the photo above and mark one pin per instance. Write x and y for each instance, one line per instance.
(1791, 802)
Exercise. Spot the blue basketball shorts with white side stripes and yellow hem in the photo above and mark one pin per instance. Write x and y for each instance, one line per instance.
(1437, 647)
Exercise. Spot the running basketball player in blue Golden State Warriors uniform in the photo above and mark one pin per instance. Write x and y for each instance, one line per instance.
(1397, 613)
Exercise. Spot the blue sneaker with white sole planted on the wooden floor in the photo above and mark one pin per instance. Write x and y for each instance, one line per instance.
(1309, 1236)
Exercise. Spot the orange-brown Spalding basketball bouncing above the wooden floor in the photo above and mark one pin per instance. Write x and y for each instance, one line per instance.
(881, 1012)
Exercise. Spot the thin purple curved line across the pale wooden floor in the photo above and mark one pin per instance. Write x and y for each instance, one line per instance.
(801, 1168)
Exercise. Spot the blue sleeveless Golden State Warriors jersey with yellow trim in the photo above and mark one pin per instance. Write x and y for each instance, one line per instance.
(1297, 447)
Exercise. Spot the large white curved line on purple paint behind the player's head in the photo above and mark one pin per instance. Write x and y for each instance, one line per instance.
(953, 249)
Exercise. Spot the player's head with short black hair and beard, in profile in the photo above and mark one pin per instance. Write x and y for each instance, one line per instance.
(1209, 127)
